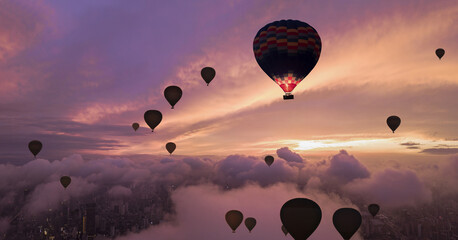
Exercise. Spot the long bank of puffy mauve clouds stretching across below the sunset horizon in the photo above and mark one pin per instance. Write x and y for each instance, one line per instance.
(342, 174)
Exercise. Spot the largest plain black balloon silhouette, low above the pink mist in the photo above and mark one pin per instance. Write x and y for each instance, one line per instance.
(300, 216)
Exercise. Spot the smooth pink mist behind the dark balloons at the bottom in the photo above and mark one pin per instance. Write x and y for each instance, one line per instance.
(201, 217)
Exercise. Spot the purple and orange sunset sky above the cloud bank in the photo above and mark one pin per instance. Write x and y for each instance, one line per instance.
(77, 75)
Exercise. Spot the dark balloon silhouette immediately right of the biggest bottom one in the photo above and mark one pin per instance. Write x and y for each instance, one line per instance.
(347, 221)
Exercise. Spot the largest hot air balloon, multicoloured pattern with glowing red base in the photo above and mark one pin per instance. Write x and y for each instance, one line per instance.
(287, 51)
